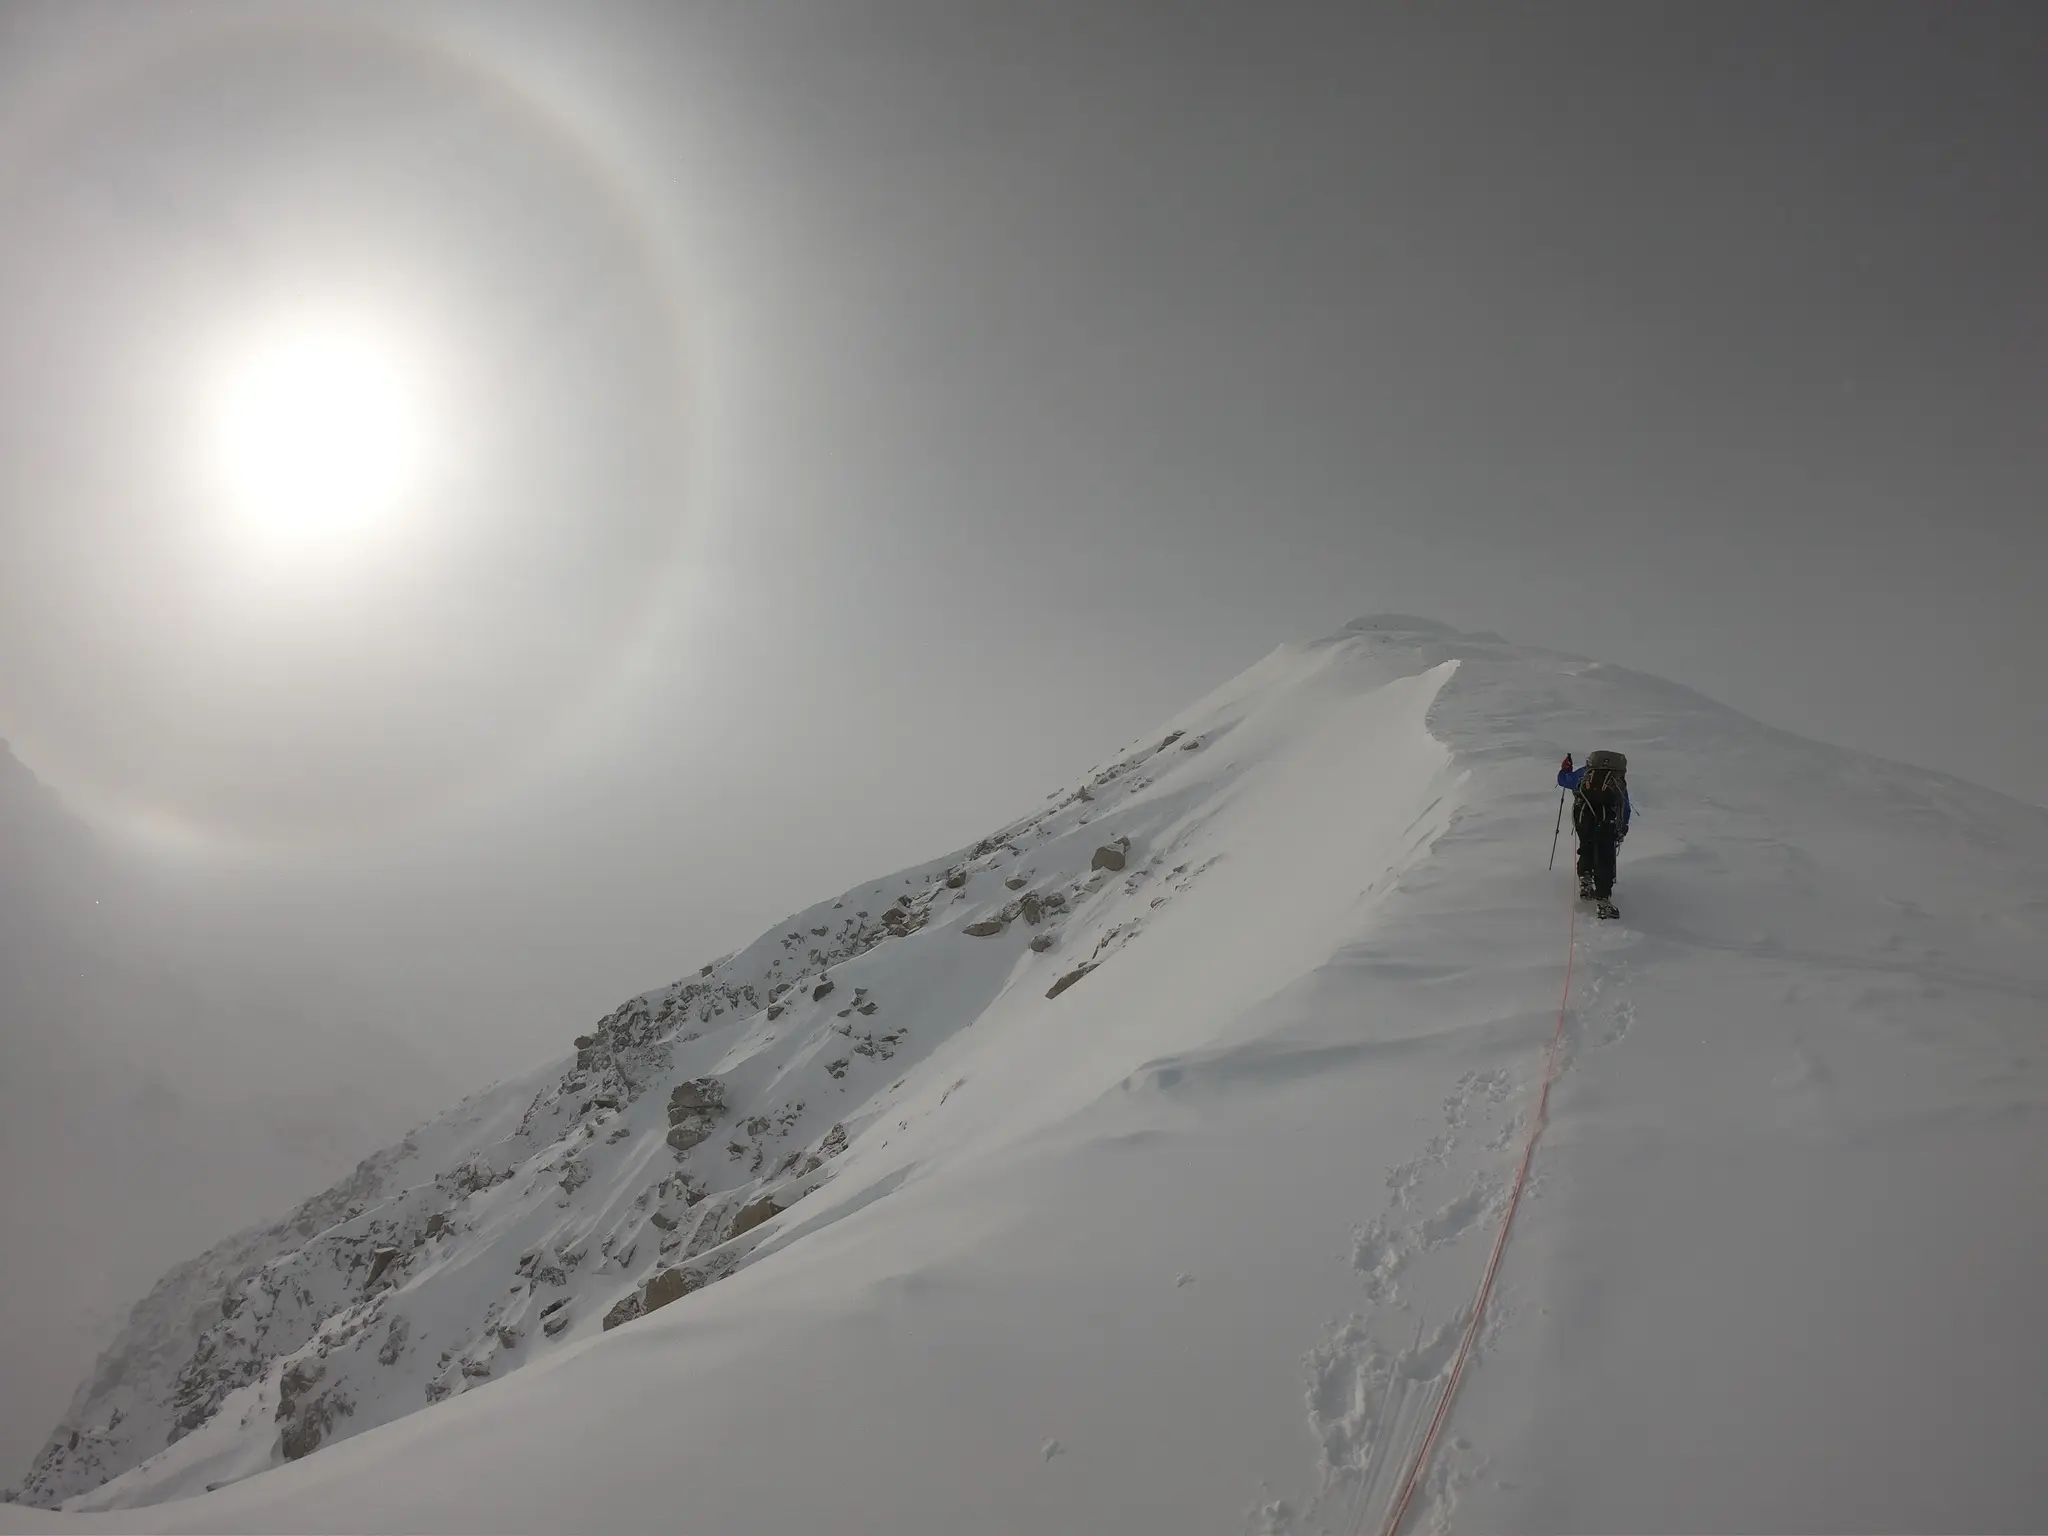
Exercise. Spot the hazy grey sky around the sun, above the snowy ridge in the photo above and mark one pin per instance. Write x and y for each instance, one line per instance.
(824, 394)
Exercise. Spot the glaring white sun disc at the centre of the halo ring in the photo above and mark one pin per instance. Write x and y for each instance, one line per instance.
(318, 433)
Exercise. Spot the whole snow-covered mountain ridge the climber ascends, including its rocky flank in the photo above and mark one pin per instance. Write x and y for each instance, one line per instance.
(1189, 1246)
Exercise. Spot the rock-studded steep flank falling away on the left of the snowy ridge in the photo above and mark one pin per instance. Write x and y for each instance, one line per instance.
(646, 1166)
